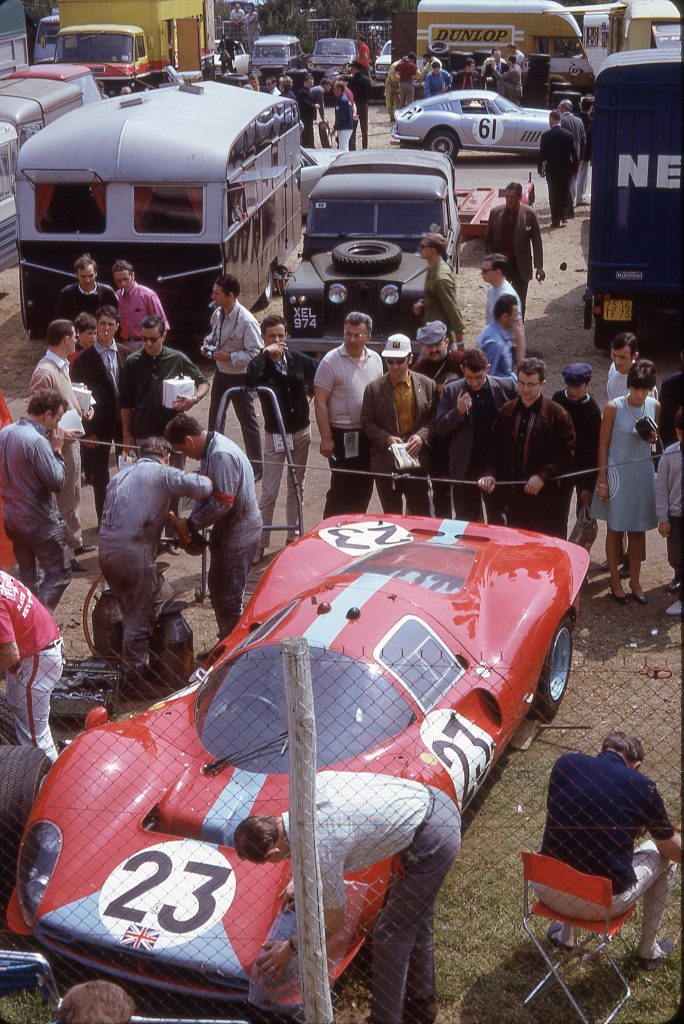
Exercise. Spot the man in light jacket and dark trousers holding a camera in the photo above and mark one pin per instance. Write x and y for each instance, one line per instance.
(233, 343)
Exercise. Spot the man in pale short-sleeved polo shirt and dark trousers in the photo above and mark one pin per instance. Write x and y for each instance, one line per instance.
(338, 394)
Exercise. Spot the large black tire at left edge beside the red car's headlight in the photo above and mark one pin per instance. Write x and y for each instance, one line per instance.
(22, 773)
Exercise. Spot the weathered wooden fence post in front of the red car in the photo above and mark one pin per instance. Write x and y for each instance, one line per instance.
(306, 869)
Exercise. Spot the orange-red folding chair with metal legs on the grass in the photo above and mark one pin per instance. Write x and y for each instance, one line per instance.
(549, 872)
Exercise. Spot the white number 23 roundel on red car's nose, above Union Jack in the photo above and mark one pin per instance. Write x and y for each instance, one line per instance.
(167, 894)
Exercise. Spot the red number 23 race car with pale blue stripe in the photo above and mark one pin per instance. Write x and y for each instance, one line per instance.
(431, 642)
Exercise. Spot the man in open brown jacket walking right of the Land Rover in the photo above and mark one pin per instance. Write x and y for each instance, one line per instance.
(514, 231)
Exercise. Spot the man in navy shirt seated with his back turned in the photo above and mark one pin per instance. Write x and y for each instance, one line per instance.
(596, 808)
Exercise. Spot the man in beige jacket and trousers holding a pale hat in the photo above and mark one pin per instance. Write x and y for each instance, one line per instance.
(53, 372)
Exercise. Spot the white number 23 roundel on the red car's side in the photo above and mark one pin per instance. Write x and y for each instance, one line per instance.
(464, 750)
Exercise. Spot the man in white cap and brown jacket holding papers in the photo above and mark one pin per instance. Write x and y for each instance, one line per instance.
(399, 409)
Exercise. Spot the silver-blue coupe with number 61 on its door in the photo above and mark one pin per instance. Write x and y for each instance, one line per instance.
(469, 120)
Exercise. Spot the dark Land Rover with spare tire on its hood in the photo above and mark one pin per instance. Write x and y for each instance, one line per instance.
(366, 218)
